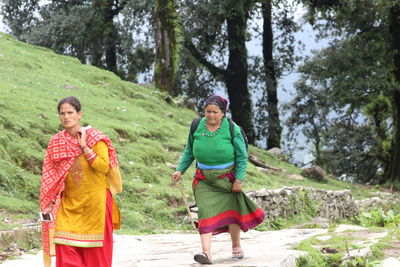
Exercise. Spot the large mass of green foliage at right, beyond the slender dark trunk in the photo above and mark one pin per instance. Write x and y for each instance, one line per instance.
(351, 82)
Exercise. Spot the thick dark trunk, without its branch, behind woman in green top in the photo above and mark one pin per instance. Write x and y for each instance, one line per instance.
(236, 74)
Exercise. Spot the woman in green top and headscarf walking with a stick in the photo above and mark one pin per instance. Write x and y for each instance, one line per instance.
(221, 166)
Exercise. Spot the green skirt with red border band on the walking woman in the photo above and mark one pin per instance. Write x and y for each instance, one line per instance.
(218, 206)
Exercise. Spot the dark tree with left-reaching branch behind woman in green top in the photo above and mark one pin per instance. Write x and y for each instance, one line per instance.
(235, 75)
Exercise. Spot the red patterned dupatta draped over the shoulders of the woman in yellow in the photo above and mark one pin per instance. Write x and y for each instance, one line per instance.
(62, 151)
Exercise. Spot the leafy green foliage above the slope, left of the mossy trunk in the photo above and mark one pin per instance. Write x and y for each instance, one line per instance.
(89, 30)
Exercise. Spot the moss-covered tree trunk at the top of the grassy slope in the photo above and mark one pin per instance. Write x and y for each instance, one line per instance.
(166, 45)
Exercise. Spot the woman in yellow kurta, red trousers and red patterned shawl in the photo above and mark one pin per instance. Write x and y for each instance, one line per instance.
(79, 178)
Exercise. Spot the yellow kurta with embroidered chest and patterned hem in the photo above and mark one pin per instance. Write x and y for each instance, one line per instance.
(81, 217)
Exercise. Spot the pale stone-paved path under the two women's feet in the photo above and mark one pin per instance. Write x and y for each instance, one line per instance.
(272, 249)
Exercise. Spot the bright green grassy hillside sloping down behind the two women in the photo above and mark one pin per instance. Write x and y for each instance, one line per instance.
(146, 131)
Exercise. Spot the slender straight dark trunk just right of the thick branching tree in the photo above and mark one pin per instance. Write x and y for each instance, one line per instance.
(274, 128)
